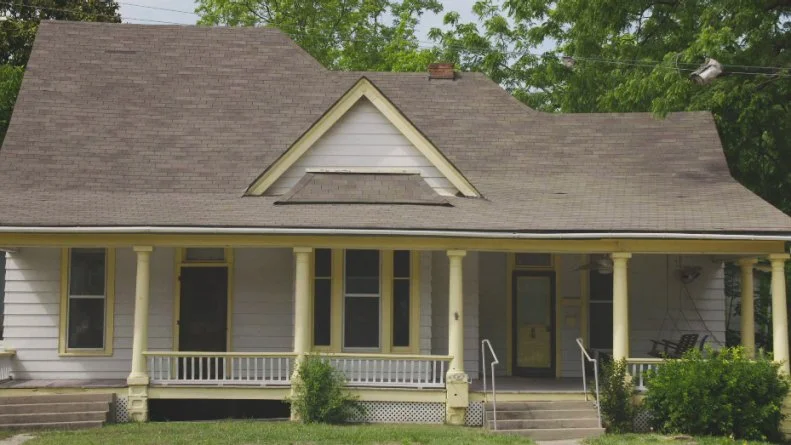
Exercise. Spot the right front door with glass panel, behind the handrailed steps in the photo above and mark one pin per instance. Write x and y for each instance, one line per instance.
(533, 323)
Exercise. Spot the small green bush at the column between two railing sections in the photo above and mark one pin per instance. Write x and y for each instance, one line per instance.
(320, 395)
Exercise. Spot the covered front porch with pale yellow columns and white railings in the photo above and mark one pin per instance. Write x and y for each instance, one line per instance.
(434, 300)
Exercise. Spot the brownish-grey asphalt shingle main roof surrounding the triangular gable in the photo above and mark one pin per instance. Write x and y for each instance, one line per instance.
(128, 125)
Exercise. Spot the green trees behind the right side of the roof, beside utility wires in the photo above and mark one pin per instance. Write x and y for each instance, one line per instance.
(637, 56)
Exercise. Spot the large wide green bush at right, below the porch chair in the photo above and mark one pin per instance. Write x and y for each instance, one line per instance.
(724, 394)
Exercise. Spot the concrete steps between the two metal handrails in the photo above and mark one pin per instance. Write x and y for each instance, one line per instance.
(550, 420)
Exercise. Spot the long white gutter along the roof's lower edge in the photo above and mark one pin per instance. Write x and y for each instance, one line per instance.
(388, 232)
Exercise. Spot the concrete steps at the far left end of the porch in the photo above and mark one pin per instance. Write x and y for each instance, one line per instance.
(61, 412)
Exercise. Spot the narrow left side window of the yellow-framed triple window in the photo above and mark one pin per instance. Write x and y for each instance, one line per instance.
(322, 297)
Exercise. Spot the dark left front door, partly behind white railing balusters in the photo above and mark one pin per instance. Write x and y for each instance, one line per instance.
(203, 317)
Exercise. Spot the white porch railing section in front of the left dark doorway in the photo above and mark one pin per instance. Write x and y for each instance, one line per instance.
(220, 368)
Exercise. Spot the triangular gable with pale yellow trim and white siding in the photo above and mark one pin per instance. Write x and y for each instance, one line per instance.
(363, 133)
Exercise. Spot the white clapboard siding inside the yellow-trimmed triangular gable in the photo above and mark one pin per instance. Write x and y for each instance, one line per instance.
(363, 139)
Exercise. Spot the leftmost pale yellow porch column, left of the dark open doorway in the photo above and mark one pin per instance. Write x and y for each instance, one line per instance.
(138, 378)
